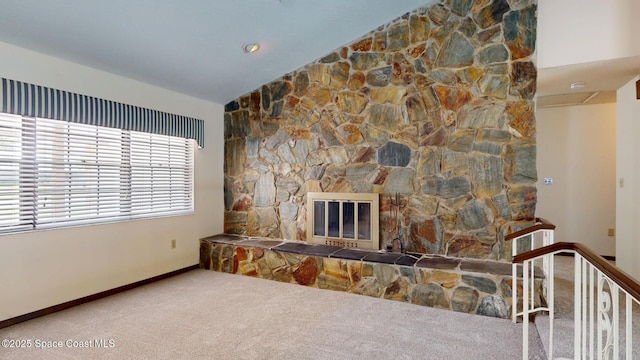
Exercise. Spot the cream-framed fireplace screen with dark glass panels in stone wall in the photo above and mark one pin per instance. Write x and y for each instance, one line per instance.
(343, 219)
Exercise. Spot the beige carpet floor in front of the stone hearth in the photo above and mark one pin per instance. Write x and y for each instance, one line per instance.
(209, 315)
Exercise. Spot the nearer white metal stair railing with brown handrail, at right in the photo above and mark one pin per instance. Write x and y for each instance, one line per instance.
(598, 289)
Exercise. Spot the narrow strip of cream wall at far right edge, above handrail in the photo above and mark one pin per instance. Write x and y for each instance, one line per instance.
(628, 169)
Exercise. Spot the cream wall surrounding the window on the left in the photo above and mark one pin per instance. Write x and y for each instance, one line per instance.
(45, 268)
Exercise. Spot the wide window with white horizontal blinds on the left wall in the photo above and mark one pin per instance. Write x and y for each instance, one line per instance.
(56, 173)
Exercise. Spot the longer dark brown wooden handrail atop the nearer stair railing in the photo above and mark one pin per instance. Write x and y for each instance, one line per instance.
(622, 279)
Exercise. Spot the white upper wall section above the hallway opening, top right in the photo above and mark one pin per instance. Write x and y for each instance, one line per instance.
(580, 31)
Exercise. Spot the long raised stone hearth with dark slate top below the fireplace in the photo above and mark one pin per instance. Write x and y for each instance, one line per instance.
(464, 285)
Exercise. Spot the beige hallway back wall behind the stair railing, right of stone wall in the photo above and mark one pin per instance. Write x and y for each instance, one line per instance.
(577, 148)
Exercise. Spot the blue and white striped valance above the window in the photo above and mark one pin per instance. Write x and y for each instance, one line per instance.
(20, 98)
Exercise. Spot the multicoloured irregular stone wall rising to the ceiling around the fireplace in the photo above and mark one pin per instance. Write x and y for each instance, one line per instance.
(437, 105)
